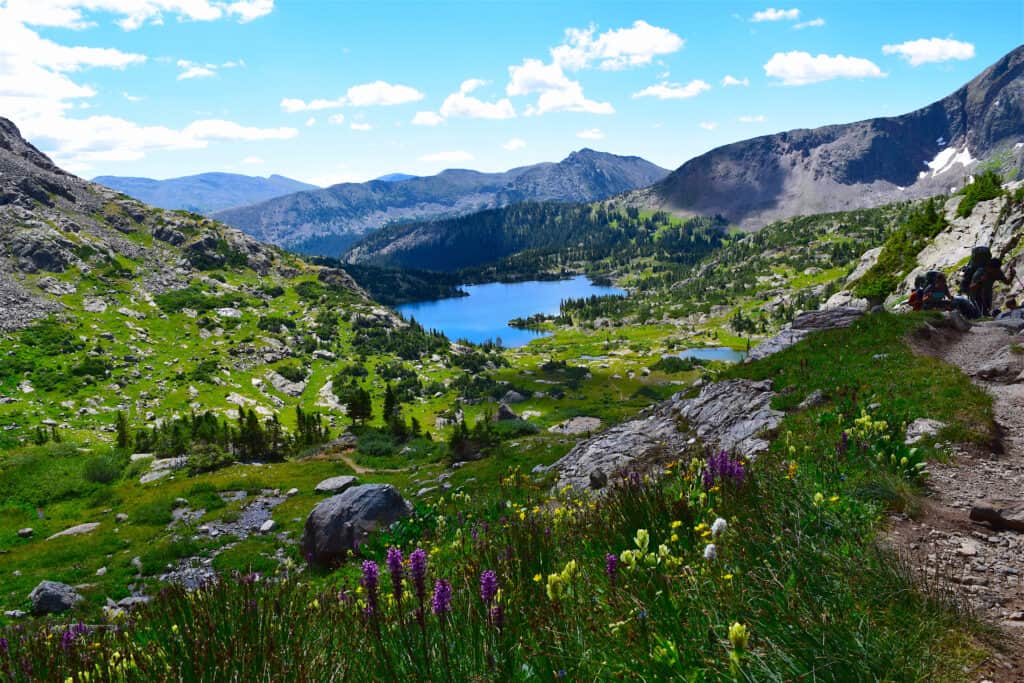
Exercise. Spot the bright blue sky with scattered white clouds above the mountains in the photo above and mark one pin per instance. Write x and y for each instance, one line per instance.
(329, 92)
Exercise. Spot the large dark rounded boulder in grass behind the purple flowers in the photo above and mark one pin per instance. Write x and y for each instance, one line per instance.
(338, 525)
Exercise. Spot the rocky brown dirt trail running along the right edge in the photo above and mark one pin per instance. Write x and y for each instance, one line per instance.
(982, 566)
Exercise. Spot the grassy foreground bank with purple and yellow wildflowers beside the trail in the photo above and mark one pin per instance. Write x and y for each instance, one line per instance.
(646, 584)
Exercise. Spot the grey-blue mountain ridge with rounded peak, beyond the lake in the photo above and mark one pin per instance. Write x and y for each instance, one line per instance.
(340, 216)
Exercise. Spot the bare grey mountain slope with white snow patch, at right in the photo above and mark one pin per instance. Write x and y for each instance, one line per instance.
(857, 165)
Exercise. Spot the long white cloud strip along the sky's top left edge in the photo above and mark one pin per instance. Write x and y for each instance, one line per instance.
(133, 14)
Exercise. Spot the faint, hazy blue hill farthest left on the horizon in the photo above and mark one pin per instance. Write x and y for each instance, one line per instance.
(205, 193)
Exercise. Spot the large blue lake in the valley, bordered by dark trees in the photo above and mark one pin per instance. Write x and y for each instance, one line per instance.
(486, 313)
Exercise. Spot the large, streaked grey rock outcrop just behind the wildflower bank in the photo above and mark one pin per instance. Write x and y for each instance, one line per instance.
(734, 416)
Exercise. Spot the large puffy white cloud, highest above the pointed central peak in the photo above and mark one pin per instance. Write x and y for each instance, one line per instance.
(616, 50)
